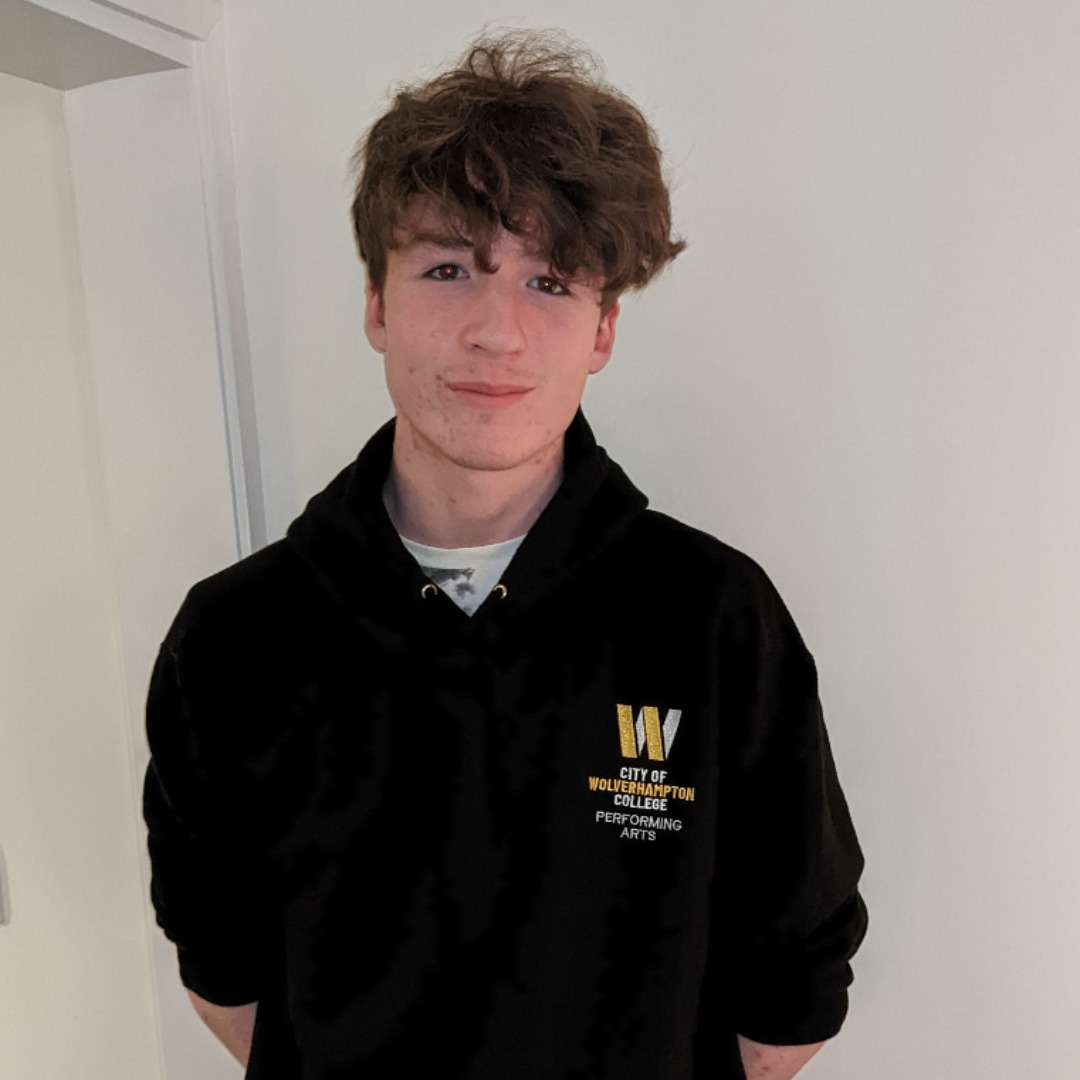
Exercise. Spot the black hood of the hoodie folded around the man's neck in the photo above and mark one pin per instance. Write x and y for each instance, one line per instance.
(347, 541)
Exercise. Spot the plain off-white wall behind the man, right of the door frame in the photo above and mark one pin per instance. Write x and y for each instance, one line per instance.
(863, 371)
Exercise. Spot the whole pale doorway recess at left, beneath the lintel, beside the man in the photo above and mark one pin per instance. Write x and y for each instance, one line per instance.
(115, 498)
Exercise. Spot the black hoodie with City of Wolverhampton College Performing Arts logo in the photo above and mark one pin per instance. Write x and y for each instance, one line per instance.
(592, 832)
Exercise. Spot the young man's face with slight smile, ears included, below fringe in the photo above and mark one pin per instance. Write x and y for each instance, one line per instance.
(487, 371)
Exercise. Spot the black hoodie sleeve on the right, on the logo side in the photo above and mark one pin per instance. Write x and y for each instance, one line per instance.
(794, 916)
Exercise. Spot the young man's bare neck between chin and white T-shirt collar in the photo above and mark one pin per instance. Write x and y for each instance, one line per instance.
(444, 505)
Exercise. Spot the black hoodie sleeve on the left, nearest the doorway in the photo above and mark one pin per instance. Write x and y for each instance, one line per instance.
(208, 886)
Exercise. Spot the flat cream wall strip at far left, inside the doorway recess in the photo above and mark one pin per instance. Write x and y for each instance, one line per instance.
(76, 995)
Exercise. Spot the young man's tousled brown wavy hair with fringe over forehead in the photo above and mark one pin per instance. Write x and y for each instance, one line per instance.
(522, 136)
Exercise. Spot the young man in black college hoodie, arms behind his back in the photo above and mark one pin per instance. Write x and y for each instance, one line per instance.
(435, 789)
